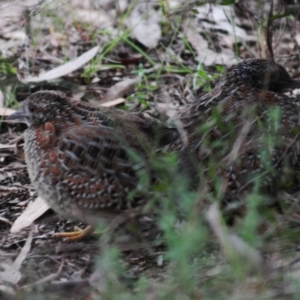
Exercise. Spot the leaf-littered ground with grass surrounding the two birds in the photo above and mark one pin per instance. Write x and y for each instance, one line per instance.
(151, 57)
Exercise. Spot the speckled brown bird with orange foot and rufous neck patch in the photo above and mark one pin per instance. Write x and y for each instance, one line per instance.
(85, 161)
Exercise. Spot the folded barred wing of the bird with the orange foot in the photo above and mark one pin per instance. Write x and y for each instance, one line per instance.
(98, 170)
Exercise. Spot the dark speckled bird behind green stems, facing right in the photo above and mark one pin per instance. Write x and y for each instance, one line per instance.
(244, 132)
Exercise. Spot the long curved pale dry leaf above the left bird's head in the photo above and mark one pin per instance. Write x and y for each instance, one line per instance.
(64, 69)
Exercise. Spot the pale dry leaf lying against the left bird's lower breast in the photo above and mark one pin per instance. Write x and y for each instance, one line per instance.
(34, 210)
